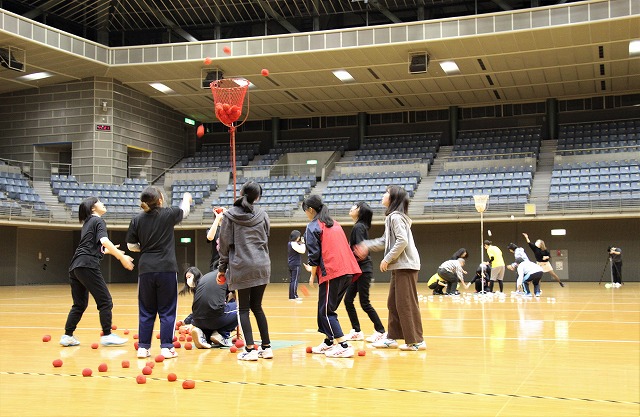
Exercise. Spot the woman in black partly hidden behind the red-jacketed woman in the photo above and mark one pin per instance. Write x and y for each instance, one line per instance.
(362, 215)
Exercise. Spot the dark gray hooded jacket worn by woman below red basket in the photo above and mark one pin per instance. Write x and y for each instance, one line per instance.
(244, 248)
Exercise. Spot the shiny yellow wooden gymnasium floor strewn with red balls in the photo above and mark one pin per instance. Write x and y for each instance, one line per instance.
(574, 351)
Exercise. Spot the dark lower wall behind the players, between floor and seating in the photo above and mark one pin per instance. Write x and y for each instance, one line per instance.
(585, 243)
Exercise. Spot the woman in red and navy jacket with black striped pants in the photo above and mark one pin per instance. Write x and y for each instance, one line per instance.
(332, 262)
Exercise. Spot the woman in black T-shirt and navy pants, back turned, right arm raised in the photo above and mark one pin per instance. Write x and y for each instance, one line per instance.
(152, 234)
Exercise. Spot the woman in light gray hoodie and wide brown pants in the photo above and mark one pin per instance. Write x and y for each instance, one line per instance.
(402, 259)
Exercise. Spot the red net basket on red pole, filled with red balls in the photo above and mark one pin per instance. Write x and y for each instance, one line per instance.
(228, 98)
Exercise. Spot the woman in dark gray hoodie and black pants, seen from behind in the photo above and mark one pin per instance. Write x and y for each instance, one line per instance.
(245, 262)
